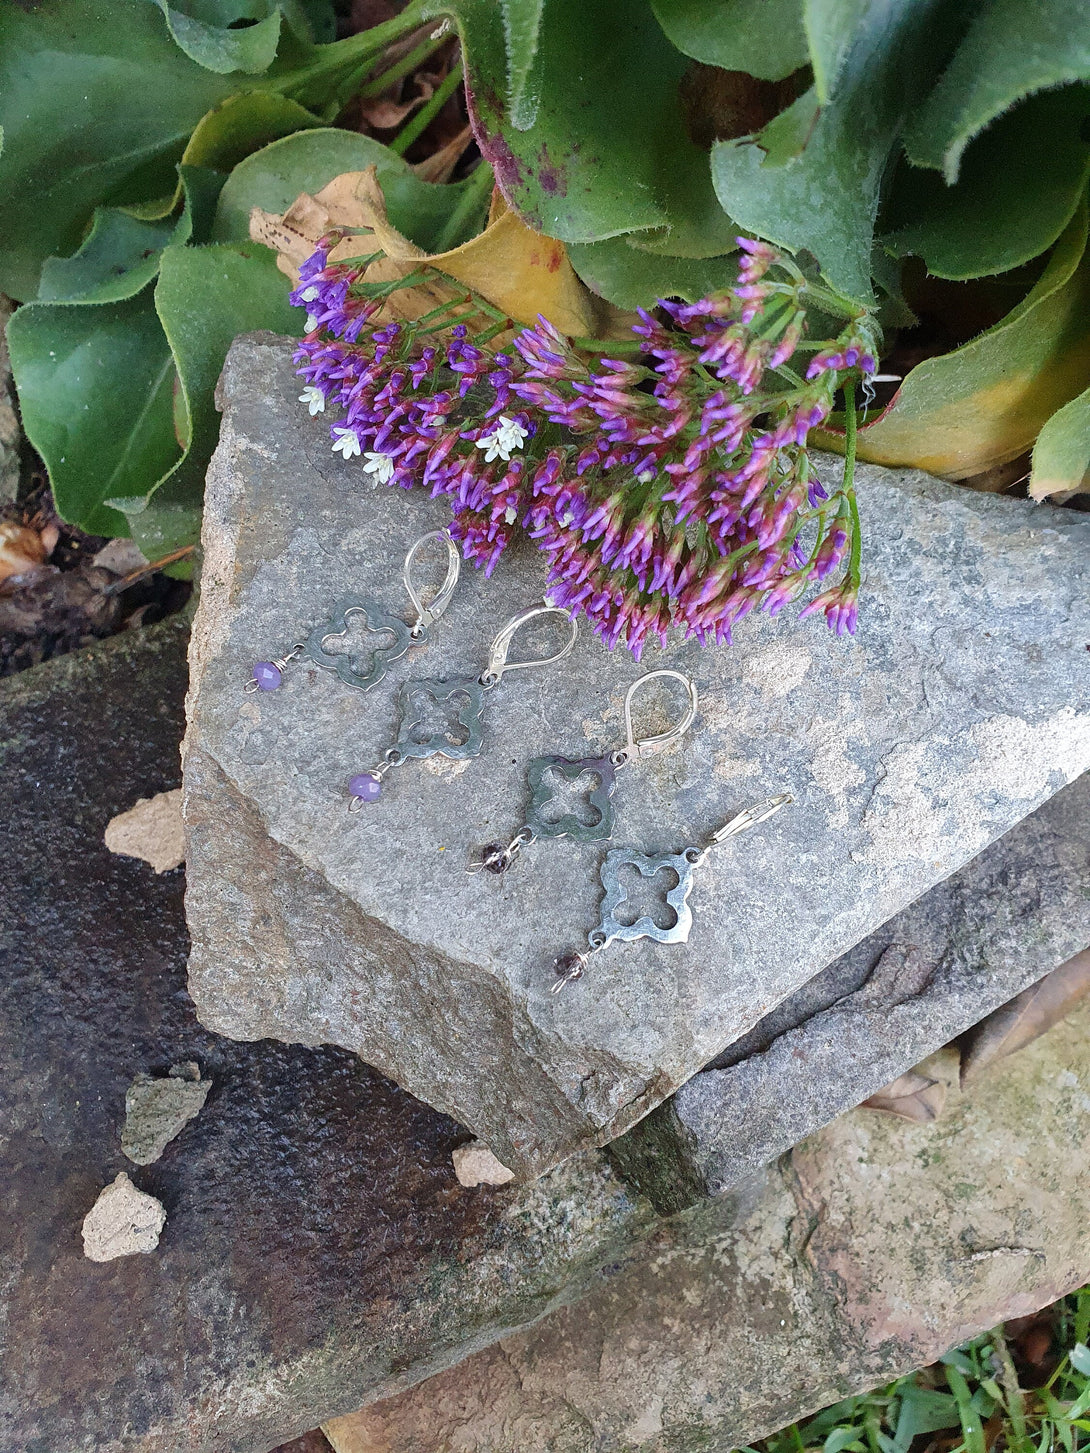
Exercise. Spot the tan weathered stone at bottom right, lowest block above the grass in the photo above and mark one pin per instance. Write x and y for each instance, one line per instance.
(868, 1253)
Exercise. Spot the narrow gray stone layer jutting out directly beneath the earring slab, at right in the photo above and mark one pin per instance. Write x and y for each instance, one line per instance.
(976, 941)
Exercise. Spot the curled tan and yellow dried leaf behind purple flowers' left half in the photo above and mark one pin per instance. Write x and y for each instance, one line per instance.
(518, 271)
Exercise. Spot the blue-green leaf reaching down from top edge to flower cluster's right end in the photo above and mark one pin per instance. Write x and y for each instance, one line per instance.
(826, 198)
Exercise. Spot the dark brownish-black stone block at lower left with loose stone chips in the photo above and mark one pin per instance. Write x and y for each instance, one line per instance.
(319, 1250)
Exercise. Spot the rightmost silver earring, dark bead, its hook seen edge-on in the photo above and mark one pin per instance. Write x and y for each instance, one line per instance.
(575, 966)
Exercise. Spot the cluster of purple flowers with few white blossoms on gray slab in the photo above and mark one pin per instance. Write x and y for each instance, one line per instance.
(668, 487)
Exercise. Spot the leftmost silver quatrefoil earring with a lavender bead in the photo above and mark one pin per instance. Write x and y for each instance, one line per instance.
(364, 669)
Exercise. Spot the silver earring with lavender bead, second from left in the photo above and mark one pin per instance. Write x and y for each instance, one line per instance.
(464, 700)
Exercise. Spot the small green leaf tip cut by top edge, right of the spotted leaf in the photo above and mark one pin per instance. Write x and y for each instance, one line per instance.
(761, 37)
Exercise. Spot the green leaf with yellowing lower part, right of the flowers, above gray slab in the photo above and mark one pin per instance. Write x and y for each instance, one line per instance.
(986, 402)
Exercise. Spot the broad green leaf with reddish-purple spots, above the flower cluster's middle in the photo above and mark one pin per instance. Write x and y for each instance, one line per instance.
(608, 152)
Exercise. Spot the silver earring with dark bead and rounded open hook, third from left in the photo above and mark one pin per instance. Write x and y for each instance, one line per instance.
(543, 774)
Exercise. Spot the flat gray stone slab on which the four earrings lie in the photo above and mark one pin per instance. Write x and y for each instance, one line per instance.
(957, 713)
